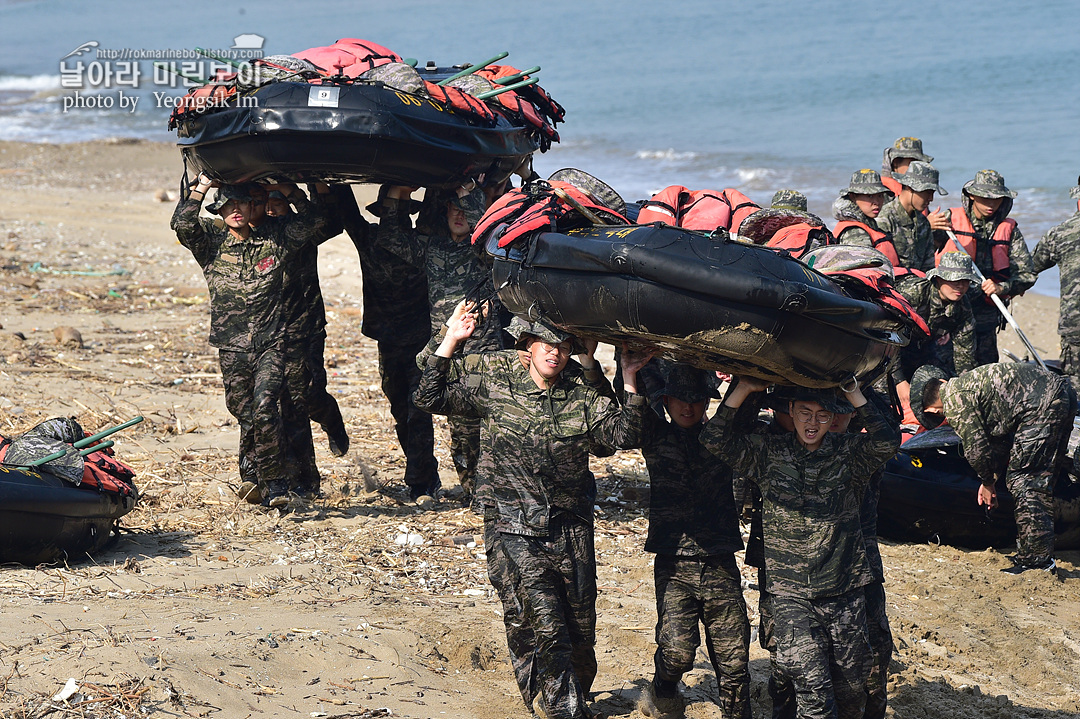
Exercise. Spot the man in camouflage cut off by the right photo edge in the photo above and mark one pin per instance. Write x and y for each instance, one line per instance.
(1061, 247)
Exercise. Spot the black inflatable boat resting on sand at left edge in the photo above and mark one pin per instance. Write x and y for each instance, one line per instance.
(45, 519)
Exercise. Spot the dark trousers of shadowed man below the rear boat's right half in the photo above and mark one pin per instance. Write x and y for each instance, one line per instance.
(415, 431)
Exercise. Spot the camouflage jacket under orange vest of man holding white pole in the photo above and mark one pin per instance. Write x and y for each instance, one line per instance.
(1021, 275)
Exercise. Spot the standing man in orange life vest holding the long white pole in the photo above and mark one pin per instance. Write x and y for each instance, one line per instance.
(987, 204)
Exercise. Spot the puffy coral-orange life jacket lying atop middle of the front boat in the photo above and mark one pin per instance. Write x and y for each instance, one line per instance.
(698, 210)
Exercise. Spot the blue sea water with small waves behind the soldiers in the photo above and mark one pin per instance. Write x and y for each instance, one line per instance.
(704, 93)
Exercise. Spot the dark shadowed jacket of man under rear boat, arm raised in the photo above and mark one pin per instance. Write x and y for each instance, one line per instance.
(396, 292)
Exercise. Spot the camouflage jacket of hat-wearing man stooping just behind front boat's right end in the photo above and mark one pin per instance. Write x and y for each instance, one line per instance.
(953, 319)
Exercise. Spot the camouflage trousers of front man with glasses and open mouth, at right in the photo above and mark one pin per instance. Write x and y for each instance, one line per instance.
(823, 646)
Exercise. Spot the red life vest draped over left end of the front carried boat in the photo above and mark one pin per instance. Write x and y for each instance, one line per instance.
(528, 210)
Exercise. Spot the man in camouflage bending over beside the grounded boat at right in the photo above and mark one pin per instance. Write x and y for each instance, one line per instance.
(1014, 422)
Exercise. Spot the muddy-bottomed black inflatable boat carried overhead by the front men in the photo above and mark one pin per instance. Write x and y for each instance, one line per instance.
(711, 302)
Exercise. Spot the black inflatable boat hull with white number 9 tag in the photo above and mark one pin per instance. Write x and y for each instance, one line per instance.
(358, 132)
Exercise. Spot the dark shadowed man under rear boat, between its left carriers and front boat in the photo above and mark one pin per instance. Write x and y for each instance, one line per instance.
(396, 316)
